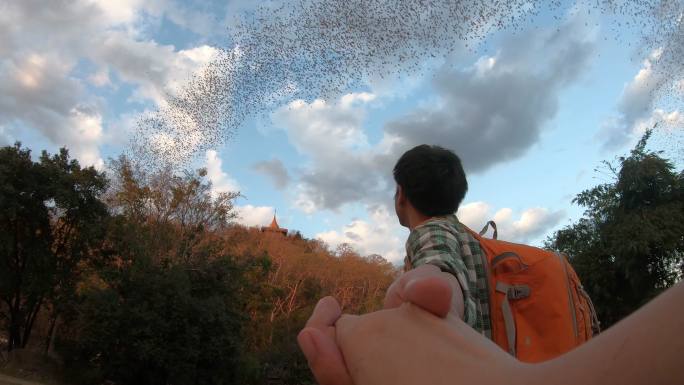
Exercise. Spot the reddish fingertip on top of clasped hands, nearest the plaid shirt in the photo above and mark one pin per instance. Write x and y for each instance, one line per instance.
(432, 294)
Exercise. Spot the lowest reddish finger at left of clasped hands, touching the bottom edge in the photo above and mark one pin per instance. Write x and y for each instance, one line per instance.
(324, 357)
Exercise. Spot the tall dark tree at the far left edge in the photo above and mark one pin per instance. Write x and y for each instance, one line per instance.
(50, 220)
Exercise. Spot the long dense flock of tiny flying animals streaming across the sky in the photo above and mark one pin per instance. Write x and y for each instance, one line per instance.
(308, 49)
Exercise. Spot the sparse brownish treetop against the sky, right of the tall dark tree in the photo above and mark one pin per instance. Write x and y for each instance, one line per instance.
(176, 210)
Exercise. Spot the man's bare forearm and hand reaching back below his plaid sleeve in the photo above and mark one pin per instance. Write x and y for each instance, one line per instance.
(419, 287)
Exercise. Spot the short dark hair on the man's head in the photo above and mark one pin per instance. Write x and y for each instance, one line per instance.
(432, 179)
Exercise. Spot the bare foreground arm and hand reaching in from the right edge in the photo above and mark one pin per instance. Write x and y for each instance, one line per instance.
(408, 346)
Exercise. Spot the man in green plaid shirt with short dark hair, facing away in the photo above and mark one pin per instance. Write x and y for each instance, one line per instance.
(430, 185)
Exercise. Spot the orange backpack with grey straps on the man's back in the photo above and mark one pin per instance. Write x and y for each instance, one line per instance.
(538, 307)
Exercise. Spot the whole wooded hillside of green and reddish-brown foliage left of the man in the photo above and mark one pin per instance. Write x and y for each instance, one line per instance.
(150, 282)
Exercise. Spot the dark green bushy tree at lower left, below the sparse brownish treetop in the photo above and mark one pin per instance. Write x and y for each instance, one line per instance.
(147, 323)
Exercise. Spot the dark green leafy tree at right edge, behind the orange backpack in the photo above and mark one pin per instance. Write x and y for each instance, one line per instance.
(629, 246)
